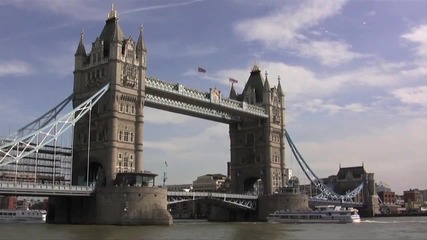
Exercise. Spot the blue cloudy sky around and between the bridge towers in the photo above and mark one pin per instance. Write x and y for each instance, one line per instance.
(354, 74)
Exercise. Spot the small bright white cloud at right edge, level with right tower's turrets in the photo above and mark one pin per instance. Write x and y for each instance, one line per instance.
(416, 95)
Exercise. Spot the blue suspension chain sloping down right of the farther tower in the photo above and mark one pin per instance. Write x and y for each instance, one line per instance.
(326, 192)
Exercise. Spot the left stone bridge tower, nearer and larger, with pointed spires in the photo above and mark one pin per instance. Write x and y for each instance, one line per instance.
(113, 141)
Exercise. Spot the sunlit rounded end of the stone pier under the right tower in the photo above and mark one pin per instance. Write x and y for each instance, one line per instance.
(270, 203)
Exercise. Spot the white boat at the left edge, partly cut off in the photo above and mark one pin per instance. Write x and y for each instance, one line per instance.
(22, 215)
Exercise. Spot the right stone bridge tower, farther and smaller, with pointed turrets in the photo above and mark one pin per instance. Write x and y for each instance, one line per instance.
(257, 145)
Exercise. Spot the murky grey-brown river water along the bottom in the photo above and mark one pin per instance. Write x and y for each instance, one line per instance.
(407, 228)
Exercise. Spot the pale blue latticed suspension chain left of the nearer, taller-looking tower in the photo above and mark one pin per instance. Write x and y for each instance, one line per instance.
(15, 150)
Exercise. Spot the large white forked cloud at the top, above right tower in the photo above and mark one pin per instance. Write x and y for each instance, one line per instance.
(285, 28)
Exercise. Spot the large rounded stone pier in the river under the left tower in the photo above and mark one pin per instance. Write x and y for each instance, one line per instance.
(113, 206)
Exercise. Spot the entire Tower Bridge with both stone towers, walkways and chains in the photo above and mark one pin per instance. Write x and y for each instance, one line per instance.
(110, 92)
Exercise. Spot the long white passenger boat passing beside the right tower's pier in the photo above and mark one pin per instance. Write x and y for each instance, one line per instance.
(321, 214)
